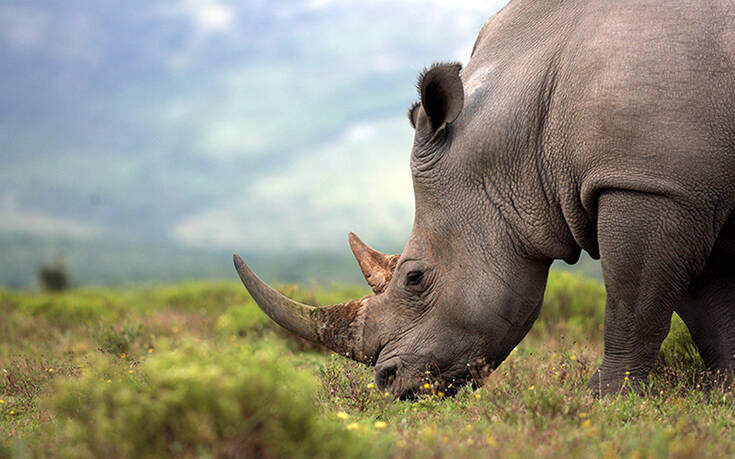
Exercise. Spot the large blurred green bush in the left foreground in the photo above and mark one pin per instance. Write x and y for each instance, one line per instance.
(240, 402)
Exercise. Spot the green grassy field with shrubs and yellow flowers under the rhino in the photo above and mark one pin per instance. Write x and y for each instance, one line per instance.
(196, 370)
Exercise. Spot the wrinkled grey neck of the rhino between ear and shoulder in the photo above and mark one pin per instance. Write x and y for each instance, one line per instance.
(519, 82)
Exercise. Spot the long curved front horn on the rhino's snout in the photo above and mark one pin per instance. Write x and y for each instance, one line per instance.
(338, 327)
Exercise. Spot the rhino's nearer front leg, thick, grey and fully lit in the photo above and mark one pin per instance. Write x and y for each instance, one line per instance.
(650, 248)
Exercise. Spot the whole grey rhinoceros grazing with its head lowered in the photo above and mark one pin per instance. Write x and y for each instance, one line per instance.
(591, 125)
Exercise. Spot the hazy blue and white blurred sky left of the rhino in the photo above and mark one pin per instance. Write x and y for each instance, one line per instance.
(264, 125)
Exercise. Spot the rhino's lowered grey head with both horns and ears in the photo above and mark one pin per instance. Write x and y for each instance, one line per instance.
(462, 291)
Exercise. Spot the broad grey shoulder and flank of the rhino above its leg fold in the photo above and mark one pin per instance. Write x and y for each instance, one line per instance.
(648, 98)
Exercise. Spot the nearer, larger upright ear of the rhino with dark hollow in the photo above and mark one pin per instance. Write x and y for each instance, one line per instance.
(442, 95)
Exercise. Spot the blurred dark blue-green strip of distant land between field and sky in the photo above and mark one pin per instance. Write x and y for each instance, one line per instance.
(115, 263)
